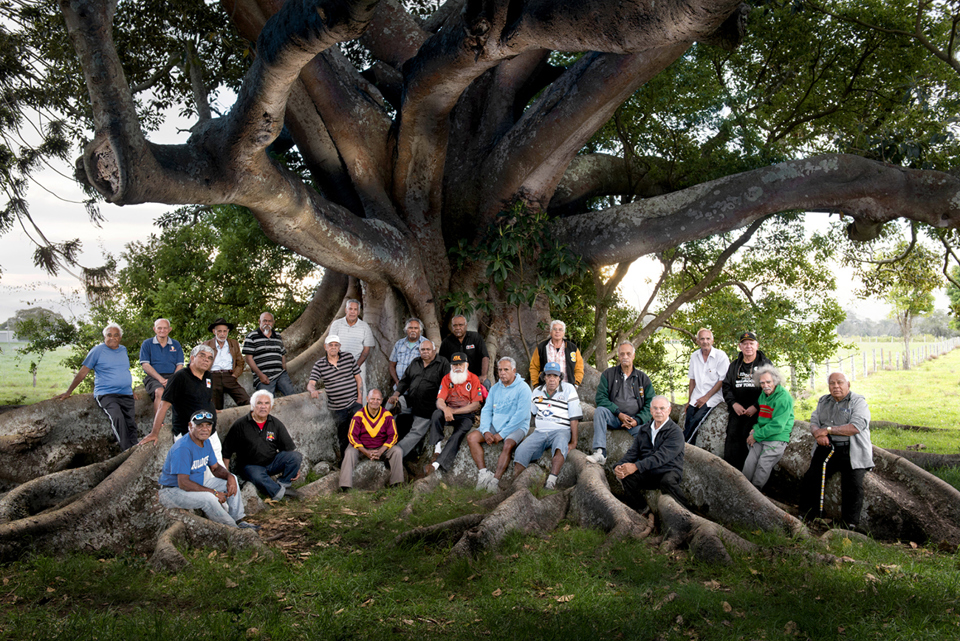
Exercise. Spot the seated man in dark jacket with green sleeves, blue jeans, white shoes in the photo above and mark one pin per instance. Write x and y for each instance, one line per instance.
(623, 401)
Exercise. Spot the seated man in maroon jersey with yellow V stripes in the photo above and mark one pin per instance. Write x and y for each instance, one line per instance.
(373, 435)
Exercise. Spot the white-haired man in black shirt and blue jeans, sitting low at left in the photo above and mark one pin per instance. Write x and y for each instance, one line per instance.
(263, 448)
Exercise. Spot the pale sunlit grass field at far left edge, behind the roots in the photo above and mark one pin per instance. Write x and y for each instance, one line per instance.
(17, 381)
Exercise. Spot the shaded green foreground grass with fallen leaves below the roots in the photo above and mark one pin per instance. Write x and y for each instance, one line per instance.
(342, 577)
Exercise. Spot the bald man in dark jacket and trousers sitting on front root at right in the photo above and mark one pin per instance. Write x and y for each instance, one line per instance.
(655, 460)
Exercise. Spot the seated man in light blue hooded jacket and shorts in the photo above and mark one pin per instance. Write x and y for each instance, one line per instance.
(505, 417)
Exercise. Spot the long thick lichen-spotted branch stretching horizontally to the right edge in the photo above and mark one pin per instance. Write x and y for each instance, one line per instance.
(872, 192)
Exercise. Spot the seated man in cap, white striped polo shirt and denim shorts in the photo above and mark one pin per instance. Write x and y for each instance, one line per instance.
(556, 406)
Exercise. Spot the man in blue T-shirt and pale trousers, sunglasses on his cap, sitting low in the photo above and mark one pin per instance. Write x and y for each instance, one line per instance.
(182, 483)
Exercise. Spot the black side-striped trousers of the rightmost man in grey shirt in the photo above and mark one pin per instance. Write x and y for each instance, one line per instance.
(851, 483)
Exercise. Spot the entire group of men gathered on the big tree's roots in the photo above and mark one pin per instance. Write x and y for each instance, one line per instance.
(435, 388)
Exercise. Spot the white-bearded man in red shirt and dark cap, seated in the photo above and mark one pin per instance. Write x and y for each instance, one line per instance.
(457, 404)
